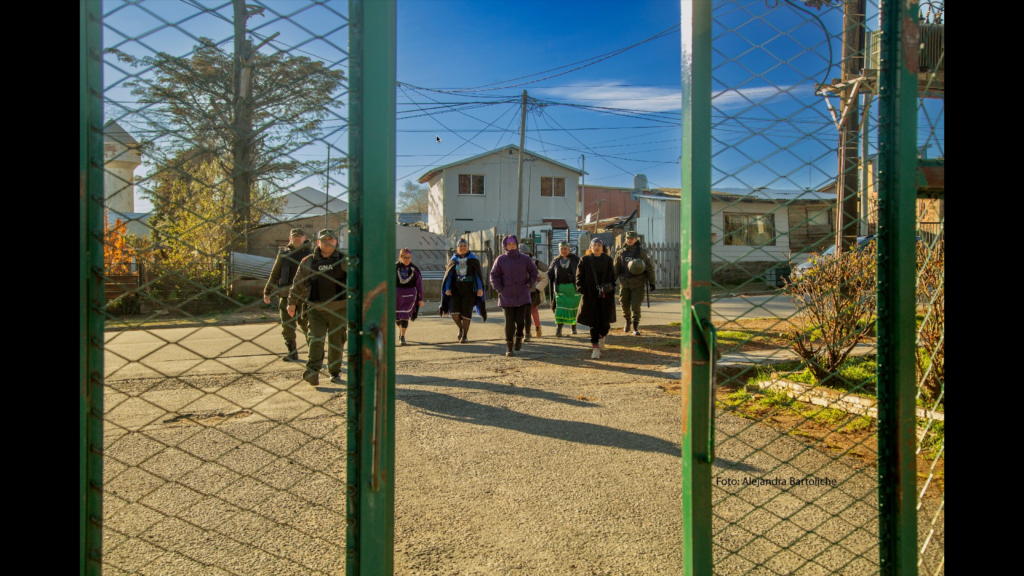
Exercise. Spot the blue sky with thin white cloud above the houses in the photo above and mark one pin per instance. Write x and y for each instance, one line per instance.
(770, 130)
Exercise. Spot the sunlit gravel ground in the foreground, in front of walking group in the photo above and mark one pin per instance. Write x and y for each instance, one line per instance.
(546, 464)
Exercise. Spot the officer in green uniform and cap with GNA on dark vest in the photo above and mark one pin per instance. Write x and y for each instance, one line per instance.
(322, 282)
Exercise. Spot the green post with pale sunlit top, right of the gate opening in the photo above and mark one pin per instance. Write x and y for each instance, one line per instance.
(698, 398)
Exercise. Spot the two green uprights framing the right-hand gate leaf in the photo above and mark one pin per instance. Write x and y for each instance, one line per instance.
(897, 273)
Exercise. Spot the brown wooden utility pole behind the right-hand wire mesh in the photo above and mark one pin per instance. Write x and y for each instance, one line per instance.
(854, 63)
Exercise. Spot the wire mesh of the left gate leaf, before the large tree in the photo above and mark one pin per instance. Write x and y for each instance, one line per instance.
(229, 118)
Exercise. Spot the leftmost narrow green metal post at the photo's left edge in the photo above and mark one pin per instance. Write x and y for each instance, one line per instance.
(91, 289)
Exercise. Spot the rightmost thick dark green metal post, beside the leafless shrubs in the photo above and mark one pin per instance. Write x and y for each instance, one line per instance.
(897, 269)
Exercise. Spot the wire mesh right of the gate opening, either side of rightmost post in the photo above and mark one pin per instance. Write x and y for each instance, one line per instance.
(794, 215)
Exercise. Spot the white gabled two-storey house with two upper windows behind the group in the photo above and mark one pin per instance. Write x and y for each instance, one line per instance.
(482, 192)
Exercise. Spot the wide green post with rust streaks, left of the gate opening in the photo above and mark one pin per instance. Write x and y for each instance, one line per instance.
(371, 314)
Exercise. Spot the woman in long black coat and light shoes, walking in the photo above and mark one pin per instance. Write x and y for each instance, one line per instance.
(595, 280)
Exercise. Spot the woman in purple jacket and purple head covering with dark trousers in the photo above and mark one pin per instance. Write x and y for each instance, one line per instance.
(514, 275)
